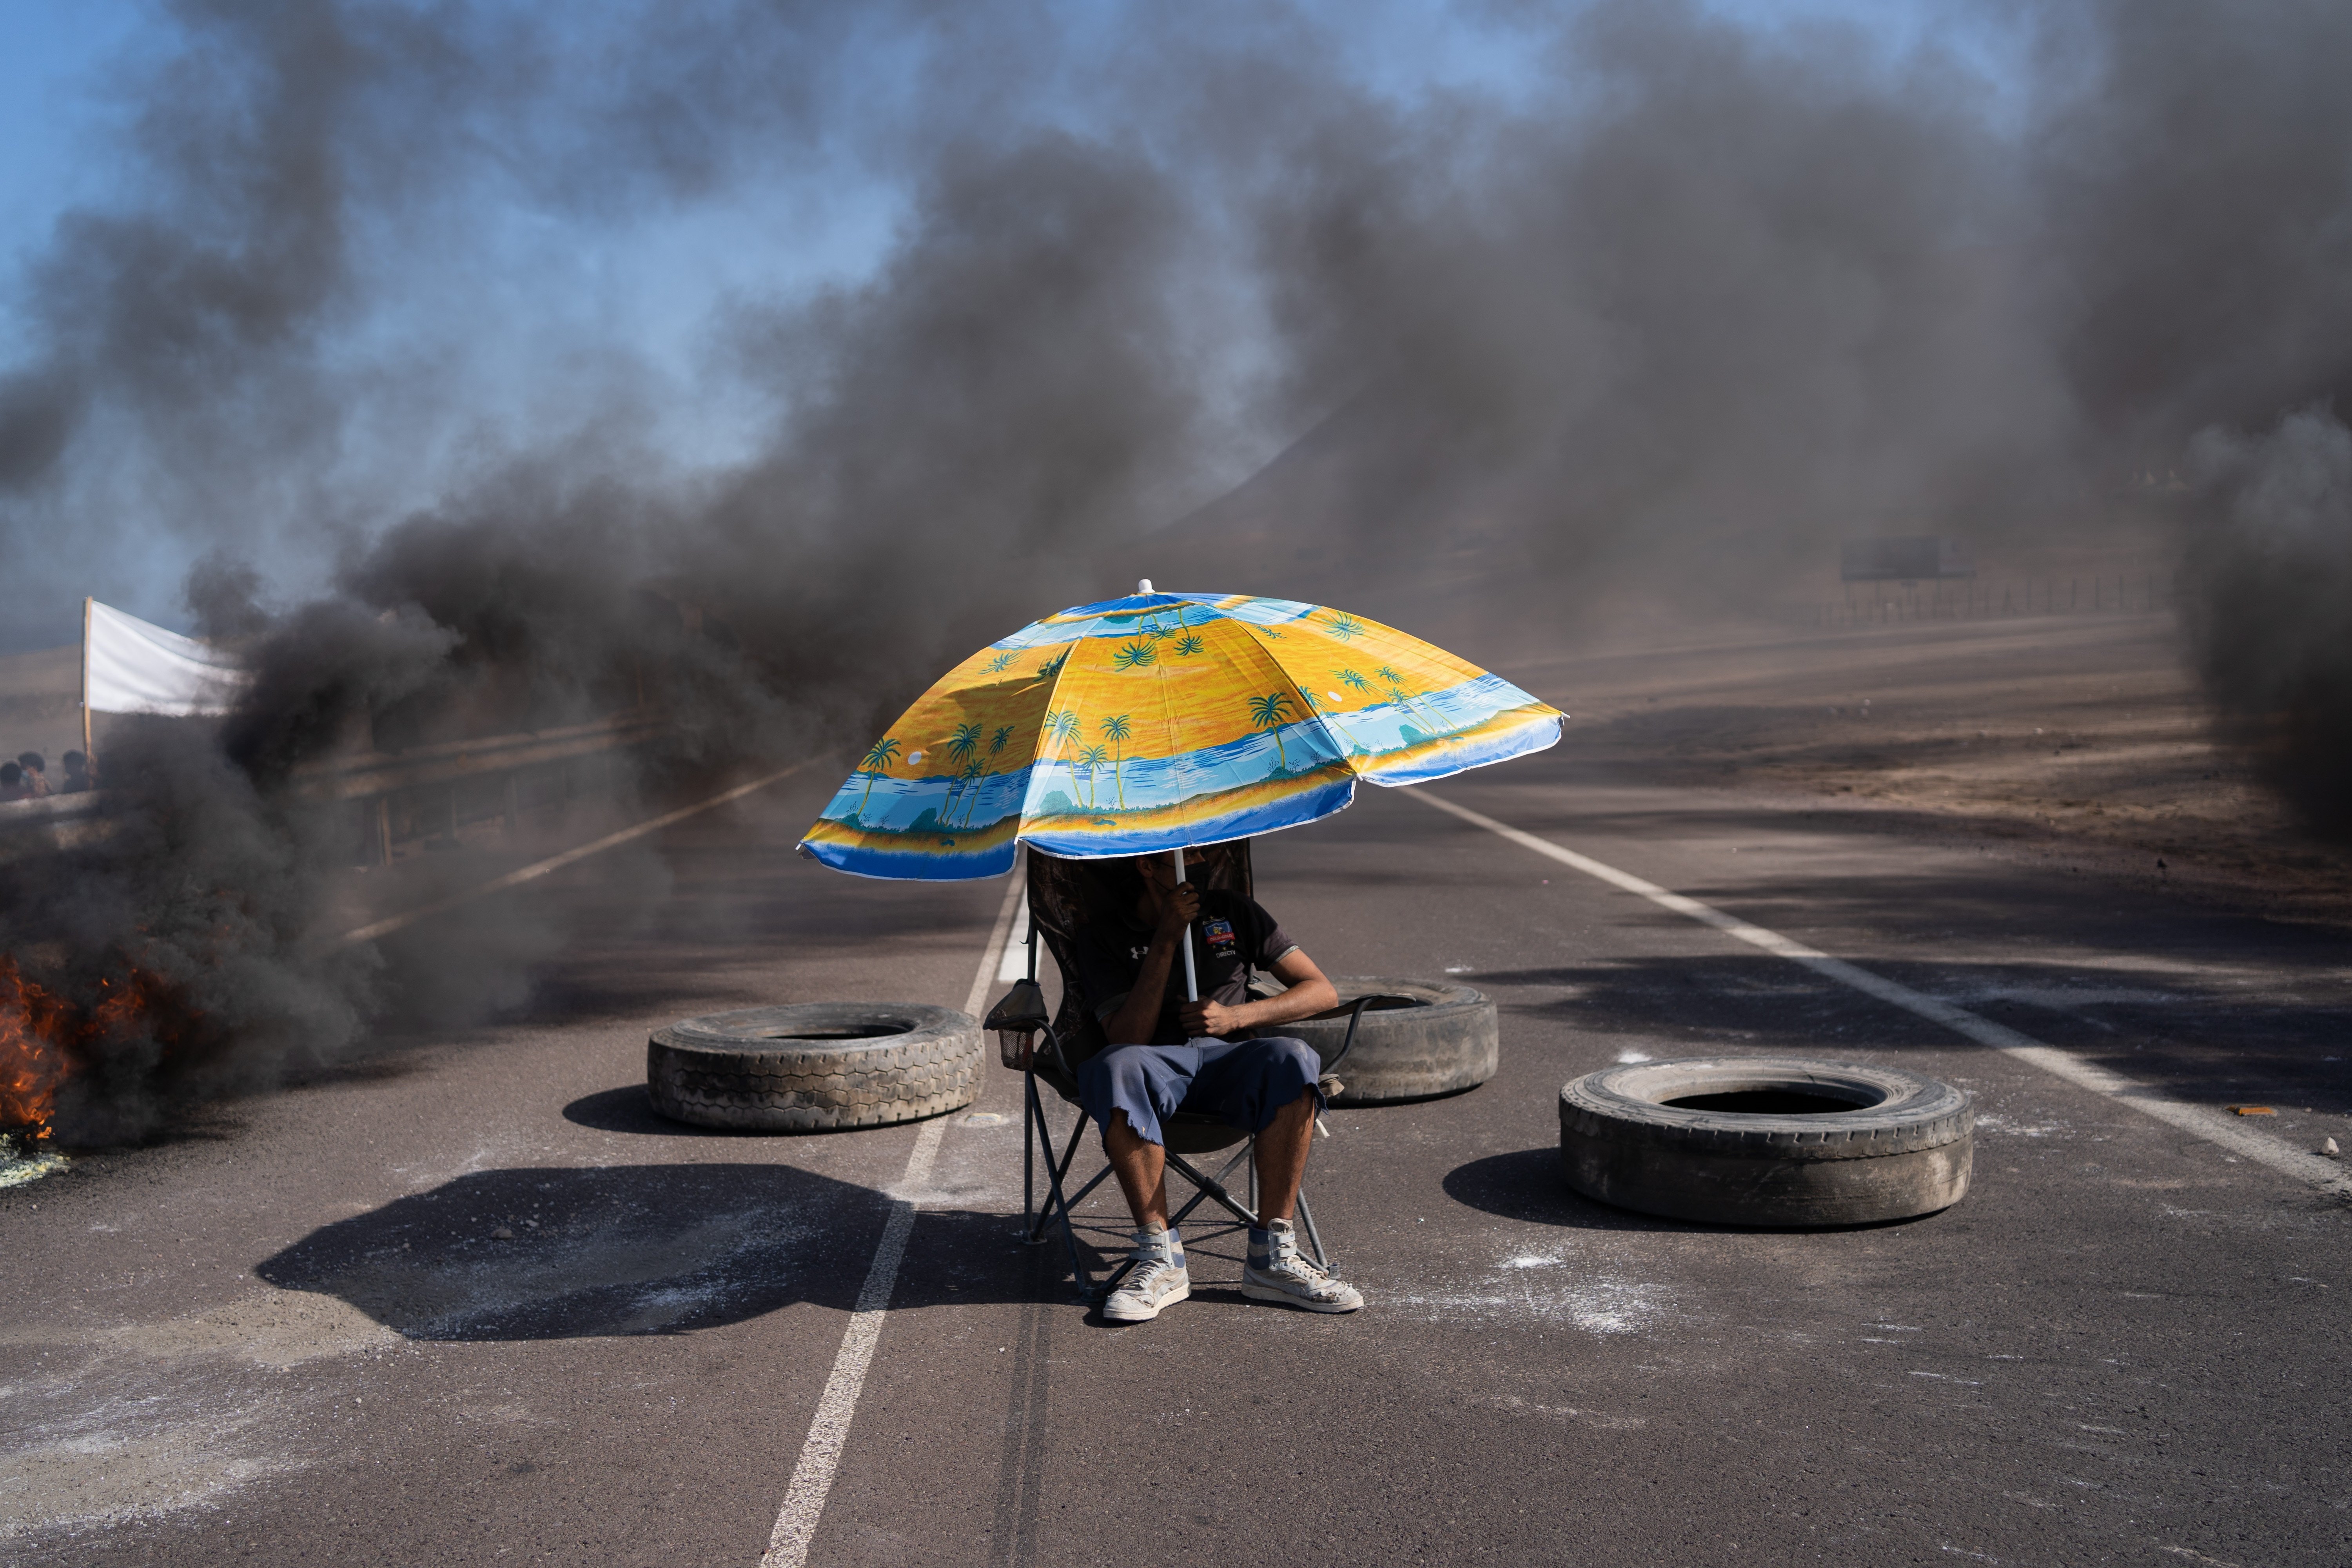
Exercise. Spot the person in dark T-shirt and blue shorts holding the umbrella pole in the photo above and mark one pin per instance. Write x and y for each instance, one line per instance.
(1168, 1054)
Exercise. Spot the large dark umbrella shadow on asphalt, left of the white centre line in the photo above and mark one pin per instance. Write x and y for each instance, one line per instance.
(594, 1252)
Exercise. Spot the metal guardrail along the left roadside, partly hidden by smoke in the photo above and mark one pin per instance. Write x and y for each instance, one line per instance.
(72, 822)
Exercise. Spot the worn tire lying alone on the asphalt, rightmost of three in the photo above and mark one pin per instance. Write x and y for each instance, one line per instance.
(1772, 1144)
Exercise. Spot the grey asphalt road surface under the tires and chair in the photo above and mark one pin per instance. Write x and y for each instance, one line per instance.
(290, 1336)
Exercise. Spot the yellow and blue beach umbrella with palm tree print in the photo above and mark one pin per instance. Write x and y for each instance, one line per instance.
(1158, 723)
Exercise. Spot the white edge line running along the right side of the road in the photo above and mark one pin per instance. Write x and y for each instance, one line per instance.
(2196, 1120)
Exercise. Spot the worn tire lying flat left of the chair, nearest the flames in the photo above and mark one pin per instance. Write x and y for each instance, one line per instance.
(815, 1066)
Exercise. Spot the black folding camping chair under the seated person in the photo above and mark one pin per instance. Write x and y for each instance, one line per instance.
(1062, 897)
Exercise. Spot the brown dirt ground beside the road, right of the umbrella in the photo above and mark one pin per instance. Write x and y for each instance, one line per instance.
(2064, 739)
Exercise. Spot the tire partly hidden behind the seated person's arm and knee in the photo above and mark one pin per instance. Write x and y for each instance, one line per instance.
(1417, 1040)
